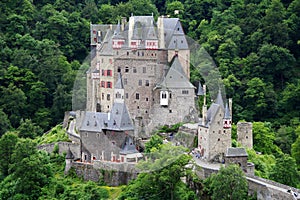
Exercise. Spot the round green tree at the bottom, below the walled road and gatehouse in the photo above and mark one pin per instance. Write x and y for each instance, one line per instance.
(229, 183)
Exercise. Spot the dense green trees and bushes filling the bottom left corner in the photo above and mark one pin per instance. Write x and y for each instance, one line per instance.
(26, 173)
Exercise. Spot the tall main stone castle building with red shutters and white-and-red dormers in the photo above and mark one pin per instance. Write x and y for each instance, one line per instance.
(154, 61)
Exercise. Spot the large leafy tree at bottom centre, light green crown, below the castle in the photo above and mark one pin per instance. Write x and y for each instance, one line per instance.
(167, 166)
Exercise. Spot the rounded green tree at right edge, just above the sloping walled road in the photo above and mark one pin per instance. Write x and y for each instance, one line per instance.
(285, 171)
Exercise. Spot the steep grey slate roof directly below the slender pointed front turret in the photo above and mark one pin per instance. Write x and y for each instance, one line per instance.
(119, 118)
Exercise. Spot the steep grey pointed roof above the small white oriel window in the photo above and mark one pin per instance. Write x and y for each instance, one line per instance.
(175, 77)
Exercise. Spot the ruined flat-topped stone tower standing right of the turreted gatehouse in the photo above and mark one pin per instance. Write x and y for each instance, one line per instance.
(244, 134)
